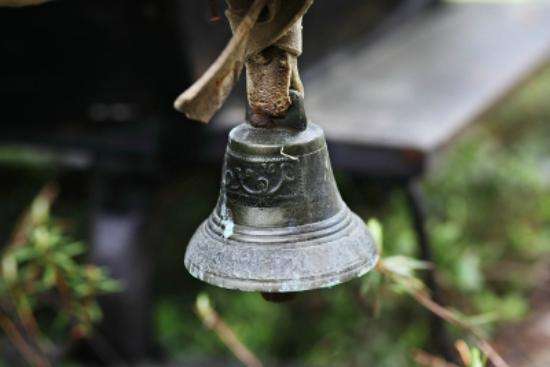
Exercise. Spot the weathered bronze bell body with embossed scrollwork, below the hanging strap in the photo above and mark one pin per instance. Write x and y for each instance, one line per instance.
(280, 224)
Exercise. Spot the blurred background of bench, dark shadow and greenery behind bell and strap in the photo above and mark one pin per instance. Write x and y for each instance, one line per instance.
(437, 118)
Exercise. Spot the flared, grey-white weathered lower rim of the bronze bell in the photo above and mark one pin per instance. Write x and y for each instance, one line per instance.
(281, 260)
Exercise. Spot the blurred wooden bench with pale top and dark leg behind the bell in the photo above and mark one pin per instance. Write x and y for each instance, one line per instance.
(389, 106)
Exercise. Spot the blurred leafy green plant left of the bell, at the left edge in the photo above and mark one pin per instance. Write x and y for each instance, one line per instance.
(41, 275)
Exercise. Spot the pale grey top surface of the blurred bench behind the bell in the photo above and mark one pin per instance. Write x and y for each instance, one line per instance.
(419, 86)
